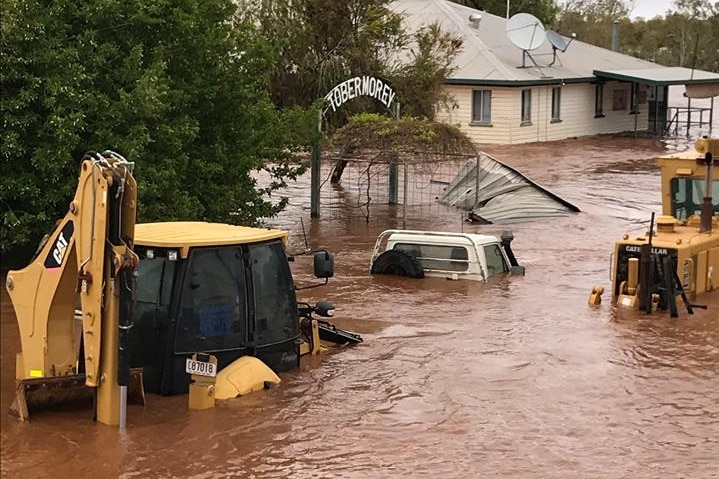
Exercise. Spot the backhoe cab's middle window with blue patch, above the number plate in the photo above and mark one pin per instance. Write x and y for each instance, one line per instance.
(213, 314)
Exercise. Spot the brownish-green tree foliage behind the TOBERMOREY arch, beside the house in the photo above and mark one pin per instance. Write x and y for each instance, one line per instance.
(324, 42)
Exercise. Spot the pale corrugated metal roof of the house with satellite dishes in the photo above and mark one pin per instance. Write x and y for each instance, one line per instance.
(488, 57)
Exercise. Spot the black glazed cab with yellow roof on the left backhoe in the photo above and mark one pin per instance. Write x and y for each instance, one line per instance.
(219, 289)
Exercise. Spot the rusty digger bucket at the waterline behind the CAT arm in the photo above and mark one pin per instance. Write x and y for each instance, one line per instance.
(42, 393)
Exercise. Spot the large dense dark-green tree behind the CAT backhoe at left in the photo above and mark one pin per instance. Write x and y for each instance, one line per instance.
(178, 87)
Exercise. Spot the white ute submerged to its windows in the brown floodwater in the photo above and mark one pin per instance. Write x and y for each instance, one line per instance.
(449, 255)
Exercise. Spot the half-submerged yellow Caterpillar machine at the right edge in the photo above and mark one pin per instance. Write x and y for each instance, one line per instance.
(680, 259)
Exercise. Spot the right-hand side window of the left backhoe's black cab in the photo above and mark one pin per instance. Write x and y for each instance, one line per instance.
(274, 291)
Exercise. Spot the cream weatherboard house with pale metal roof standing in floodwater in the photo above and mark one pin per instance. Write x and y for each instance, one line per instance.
(506, 95)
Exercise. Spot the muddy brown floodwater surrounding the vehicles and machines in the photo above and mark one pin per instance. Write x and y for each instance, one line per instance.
(515, 378)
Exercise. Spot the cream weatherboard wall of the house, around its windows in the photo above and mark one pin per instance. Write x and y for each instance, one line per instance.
(577, 114)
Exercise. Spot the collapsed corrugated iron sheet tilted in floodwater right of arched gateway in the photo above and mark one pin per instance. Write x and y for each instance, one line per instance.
(492, 192)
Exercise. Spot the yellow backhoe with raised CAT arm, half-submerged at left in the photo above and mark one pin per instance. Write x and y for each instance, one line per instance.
(106, 304)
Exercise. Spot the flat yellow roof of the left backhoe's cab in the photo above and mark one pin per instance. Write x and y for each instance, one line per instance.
(187, 234)
